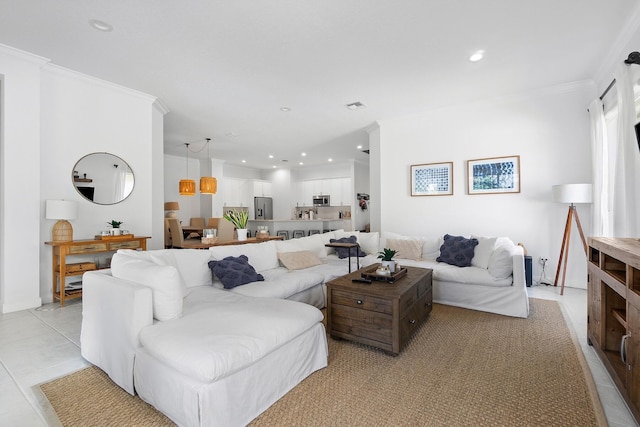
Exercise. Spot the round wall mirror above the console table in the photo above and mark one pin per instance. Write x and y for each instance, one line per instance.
(103, 178)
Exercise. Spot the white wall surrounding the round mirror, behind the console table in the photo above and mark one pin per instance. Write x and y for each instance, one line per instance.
(81, 115)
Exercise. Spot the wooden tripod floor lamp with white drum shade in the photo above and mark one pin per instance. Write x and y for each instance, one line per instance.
(571, 194)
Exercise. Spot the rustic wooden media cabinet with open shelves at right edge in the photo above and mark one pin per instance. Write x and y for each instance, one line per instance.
(613, 322)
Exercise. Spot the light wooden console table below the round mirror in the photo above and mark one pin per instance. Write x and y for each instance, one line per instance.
(60, 269)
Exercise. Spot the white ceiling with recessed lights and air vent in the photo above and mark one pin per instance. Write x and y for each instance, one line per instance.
(224, 69)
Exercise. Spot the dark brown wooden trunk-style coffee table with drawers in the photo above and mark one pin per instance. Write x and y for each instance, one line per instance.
(380, 314)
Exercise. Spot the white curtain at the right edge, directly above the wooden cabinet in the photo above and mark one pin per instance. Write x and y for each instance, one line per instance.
(626, 189)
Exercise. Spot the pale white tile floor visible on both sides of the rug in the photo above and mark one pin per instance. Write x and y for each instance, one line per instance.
(39, 345)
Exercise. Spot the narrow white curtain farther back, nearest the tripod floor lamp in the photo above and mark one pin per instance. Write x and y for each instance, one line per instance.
(600, 223)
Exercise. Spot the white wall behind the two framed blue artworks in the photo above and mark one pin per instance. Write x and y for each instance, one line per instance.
(549, 130)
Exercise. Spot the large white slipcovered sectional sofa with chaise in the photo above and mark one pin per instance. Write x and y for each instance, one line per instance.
(159, 324)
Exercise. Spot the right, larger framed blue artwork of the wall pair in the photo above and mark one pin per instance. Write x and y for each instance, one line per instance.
(494, 175)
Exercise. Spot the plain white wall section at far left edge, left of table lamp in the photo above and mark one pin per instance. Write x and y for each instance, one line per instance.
(20, 201)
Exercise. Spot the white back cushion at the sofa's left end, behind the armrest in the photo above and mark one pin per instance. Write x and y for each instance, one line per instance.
(164, 281)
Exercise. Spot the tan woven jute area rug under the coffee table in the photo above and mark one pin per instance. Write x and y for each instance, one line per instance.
(462, 368)
